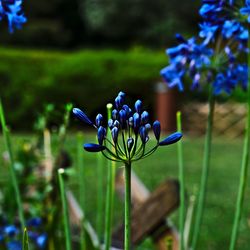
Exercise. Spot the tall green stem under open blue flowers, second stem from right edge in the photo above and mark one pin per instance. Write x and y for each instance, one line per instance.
(205, 171)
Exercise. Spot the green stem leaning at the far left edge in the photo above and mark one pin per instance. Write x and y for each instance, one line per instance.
(13, 177)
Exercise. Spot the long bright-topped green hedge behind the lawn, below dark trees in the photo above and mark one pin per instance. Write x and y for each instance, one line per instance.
(89, 79)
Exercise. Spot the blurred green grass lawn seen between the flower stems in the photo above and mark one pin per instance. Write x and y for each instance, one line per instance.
(221, 192)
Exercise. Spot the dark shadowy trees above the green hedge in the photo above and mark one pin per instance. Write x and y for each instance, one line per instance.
(122, 23)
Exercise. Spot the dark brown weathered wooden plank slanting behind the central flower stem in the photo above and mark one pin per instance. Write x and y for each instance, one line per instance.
(147, 217)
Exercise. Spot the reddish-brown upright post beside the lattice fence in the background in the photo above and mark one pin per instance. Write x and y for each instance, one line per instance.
(166, 107)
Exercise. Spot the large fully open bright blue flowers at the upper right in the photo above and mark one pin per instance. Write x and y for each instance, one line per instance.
(226, 23)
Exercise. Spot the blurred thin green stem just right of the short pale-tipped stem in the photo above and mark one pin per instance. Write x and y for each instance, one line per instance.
(80, 168)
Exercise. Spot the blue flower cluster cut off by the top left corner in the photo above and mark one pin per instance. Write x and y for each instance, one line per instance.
(12, 11)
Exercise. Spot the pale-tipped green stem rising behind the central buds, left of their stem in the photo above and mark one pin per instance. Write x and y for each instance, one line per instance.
(110, 194)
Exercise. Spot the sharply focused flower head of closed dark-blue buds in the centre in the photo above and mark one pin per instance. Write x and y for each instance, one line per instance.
(129, 132)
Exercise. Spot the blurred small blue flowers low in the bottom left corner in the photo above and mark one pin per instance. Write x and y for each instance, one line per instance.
(11, 235)
